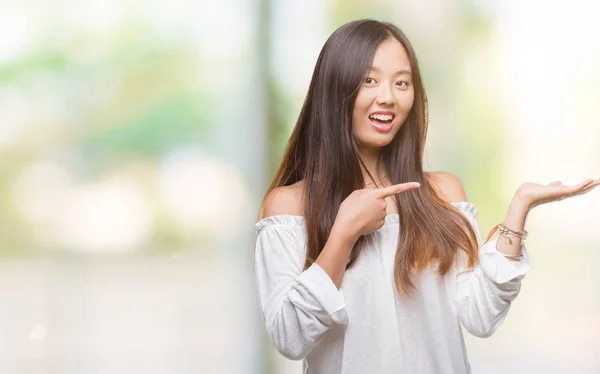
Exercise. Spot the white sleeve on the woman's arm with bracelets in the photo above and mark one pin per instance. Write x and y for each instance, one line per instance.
(484, 294)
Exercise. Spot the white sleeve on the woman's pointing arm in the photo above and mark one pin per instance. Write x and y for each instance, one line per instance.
(297, 306)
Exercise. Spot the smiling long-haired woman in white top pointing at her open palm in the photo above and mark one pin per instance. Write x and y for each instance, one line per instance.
(364, 262)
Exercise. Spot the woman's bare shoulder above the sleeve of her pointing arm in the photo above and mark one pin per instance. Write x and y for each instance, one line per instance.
(285, 200)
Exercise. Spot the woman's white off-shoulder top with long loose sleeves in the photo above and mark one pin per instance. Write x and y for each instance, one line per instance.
(366, 326)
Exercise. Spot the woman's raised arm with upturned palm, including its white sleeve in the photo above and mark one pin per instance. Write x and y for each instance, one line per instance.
(483, 295)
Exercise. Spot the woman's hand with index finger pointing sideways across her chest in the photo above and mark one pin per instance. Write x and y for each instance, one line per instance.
(364, 210)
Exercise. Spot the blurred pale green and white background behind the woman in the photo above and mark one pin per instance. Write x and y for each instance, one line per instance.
(137, 140)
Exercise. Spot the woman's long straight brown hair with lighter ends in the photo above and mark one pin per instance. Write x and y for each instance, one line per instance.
(323, 152)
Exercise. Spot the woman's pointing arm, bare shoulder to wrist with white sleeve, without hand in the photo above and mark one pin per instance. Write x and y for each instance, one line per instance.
(298, 306)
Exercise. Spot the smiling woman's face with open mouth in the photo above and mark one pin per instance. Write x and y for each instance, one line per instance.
(384, 98)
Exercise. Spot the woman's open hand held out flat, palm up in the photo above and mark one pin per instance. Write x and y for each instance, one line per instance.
(534, 194)
